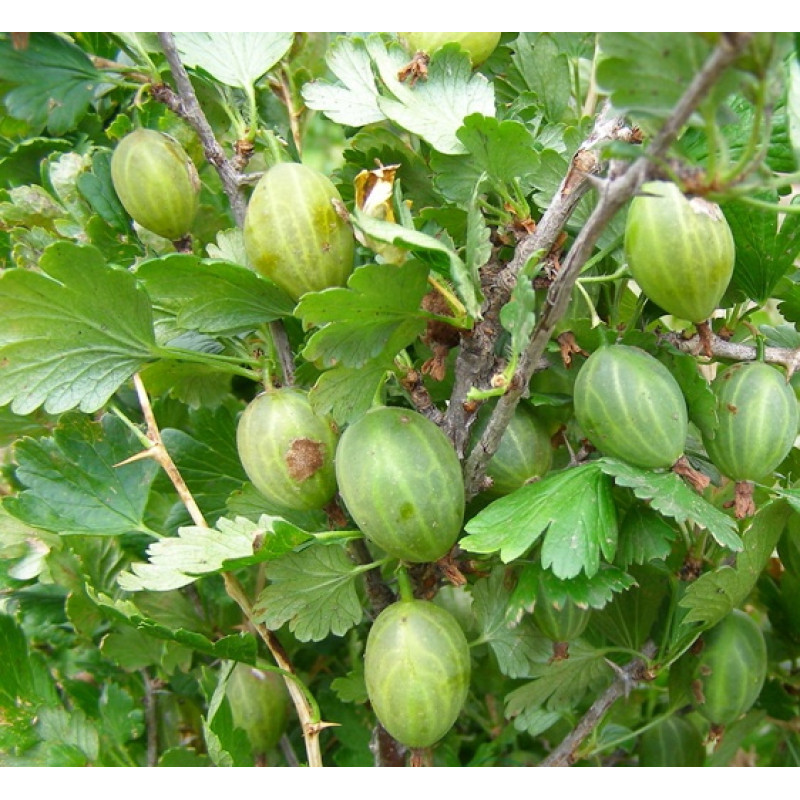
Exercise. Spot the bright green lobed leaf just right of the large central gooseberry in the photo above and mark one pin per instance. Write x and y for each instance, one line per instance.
(574, 508)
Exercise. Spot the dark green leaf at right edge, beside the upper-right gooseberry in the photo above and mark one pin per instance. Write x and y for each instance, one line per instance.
(764, 252)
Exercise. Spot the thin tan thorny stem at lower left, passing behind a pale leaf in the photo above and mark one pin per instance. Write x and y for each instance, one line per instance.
(311, 725)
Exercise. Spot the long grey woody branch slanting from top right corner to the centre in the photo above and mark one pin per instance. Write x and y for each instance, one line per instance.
(615, 192)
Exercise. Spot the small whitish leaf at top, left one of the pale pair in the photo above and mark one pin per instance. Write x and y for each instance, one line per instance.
(353, 102)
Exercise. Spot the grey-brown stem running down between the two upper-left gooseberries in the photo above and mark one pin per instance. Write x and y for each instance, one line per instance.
(186, 105)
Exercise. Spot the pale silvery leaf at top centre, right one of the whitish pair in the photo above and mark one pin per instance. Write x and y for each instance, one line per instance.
(434, 108)
